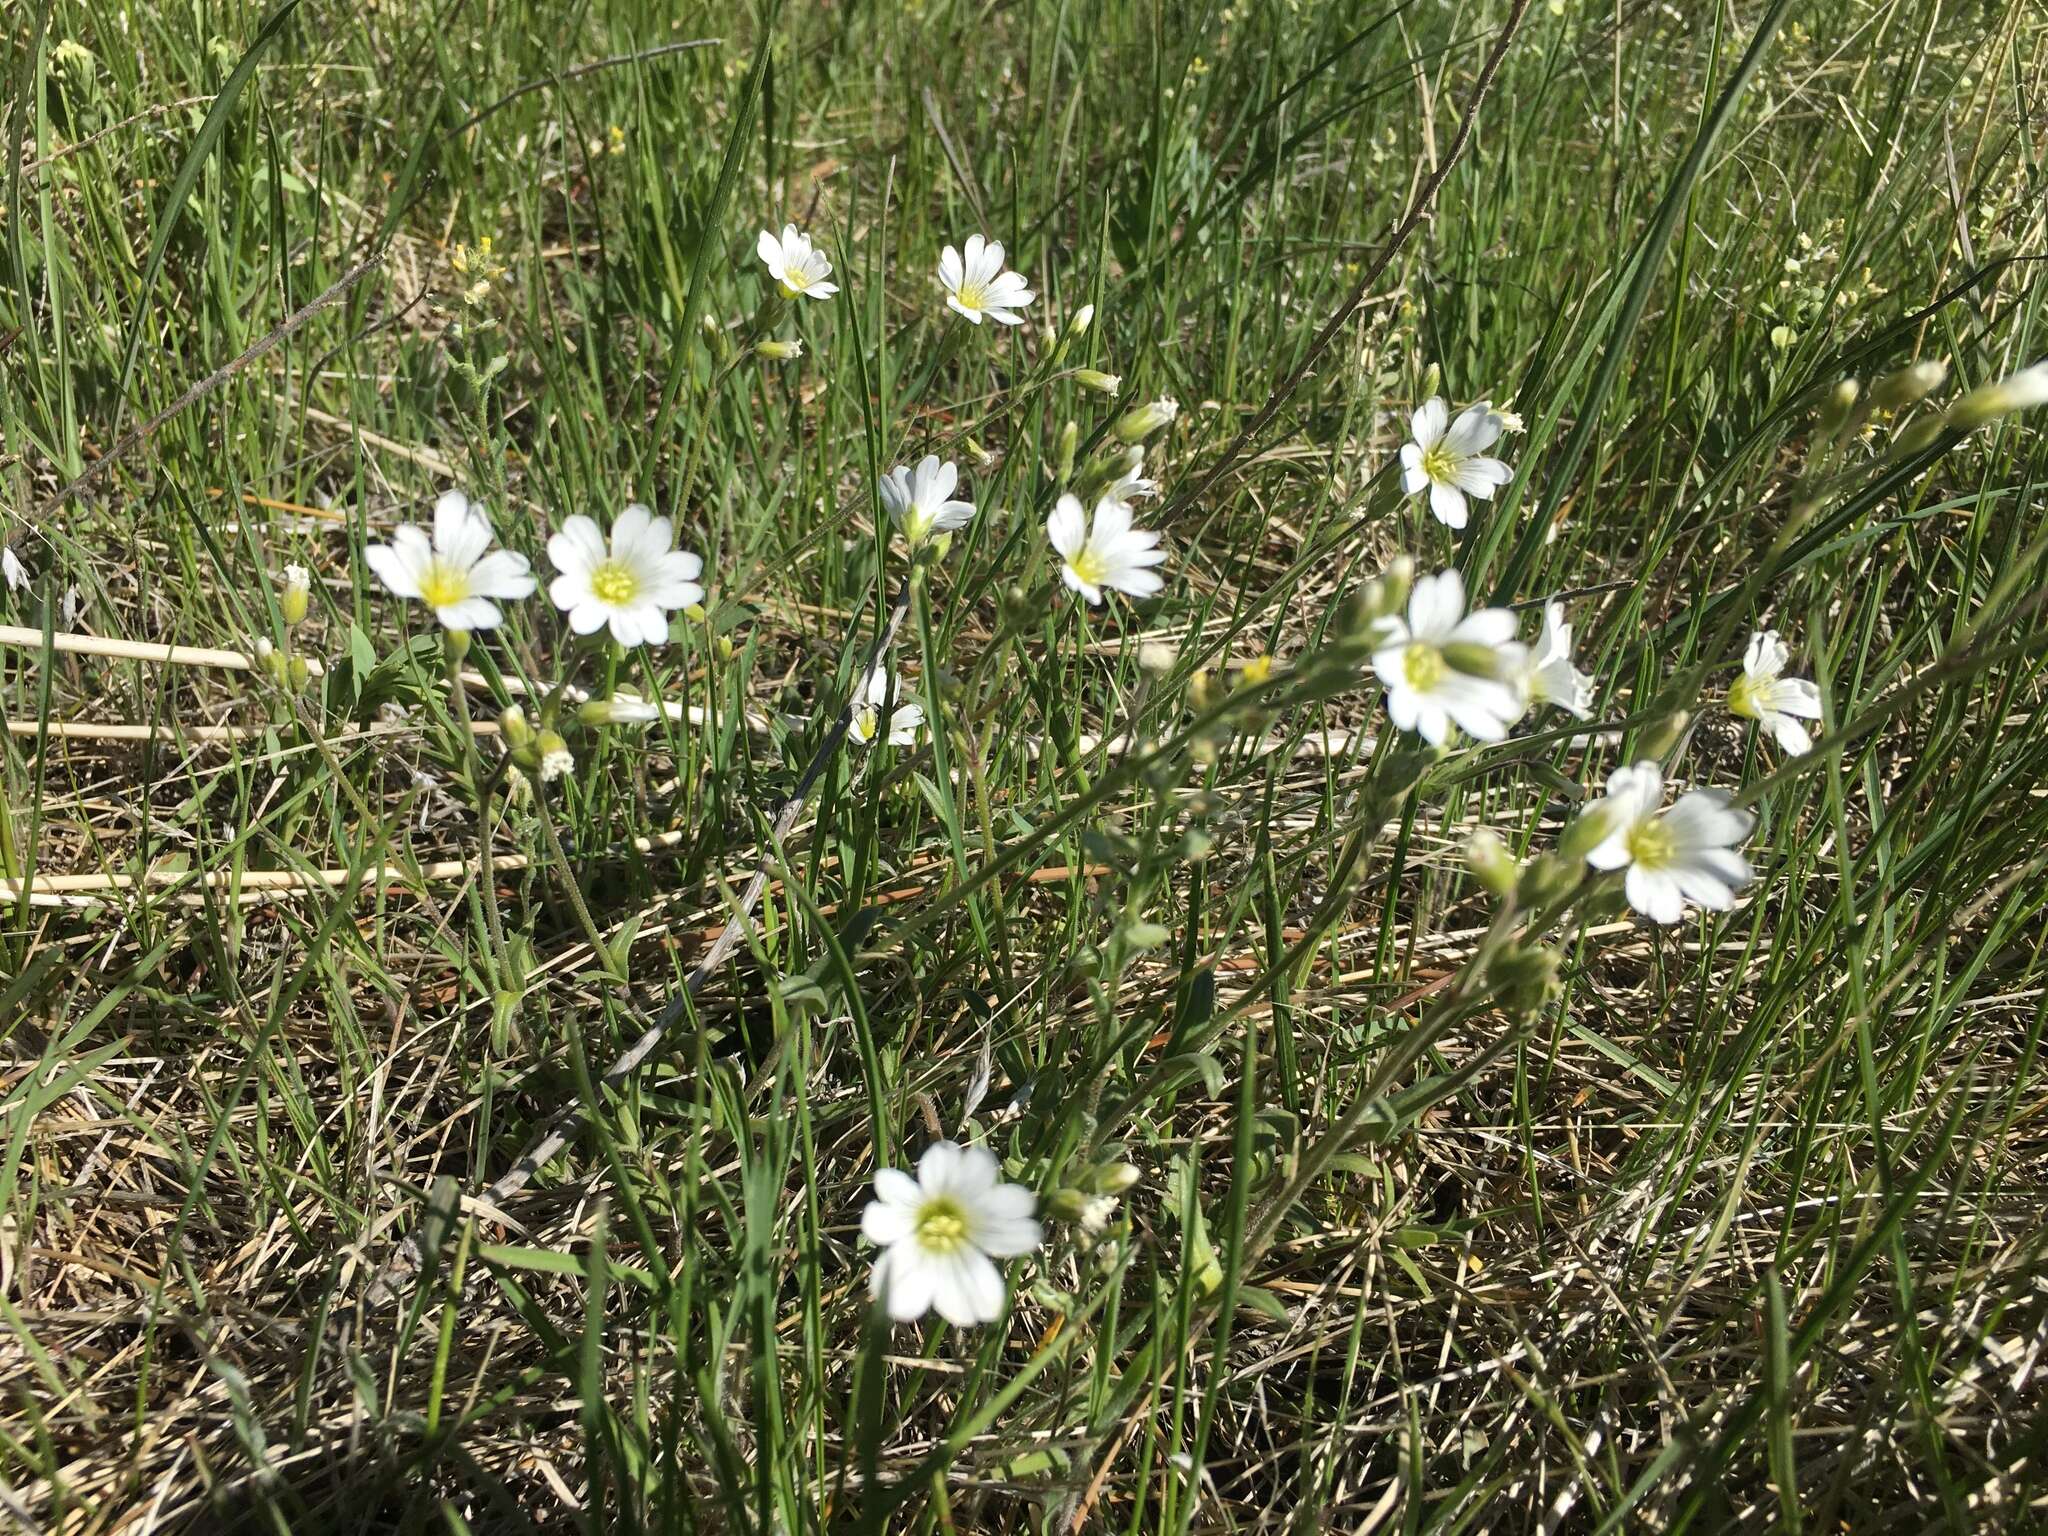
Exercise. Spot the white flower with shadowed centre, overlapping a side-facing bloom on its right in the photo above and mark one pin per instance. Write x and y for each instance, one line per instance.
(1426, 693)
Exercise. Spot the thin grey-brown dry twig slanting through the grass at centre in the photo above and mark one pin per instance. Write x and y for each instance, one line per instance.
(570, 1121)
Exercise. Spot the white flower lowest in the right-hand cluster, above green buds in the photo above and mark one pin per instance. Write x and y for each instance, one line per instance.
(1672, 857)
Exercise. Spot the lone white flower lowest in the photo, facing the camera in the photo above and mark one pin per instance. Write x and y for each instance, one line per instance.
(941, 1234)
